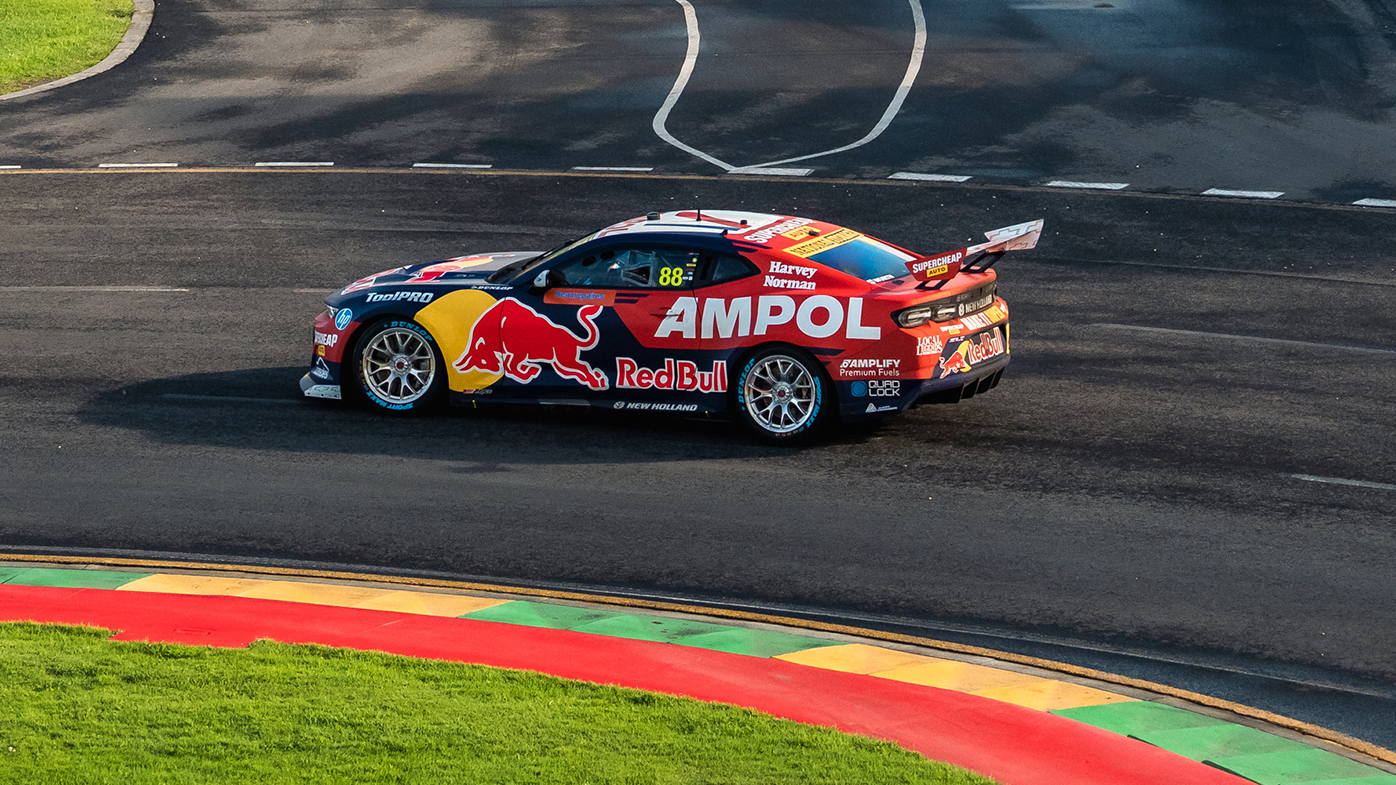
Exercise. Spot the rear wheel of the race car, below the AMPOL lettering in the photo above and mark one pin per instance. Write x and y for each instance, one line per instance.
(784, 396)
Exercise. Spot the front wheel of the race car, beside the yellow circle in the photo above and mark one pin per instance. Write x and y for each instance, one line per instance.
(397, 368)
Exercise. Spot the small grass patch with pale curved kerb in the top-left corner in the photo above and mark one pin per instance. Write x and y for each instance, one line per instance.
(48, 40)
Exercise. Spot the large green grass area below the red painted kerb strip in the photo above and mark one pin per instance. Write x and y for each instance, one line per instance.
(79, 709)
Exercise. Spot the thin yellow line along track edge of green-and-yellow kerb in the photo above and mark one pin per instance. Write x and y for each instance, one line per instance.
(1319, 733)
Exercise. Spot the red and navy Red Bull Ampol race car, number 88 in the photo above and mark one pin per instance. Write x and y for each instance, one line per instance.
(785, 323)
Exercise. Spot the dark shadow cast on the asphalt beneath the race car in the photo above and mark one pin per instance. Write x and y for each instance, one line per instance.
(263, 410)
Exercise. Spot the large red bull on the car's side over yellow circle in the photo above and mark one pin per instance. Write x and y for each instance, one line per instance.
(514, 340)
